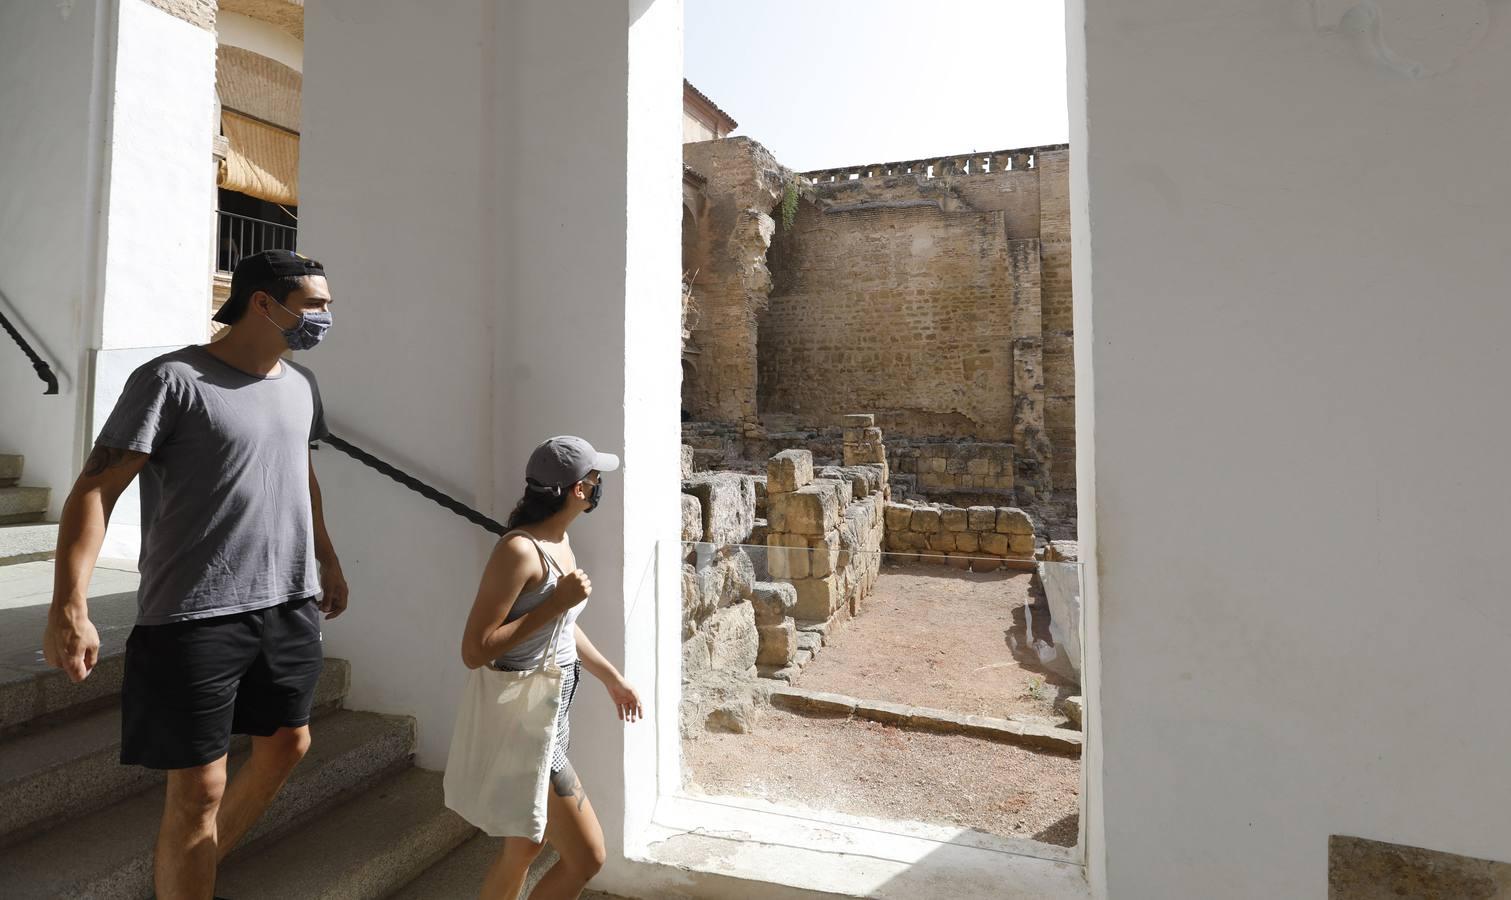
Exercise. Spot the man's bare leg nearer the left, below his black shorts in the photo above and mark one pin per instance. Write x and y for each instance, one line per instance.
(184, 866)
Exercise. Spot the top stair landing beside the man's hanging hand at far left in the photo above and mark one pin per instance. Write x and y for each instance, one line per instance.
(31, 691)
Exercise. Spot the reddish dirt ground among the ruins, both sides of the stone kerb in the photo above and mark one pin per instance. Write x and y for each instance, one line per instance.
(929, 638)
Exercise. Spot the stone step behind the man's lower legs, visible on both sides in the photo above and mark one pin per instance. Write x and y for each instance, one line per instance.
(108, 855)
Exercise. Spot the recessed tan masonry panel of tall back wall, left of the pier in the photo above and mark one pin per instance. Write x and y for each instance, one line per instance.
(897, 309)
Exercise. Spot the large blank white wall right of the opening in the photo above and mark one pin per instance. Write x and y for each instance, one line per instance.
(1291, 291)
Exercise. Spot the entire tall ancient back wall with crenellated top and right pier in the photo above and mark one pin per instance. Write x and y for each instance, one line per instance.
(938, 294)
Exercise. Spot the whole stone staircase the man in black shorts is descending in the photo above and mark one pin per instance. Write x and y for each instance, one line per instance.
(357, 819)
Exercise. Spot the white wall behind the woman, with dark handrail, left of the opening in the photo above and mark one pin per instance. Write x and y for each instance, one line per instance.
(518, 282)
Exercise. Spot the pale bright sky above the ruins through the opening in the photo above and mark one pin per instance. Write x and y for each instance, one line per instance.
(827, 84)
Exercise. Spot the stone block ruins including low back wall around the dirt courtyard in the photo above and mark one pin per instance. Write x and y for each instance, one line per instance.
(774, 562)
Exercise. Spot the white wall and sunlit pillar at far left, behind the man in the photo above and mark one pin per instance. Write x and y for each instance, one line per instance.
(105, 235)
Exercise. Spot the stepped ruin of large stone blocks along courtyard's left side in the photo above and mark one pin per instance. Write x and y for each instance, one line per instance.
(771, 564)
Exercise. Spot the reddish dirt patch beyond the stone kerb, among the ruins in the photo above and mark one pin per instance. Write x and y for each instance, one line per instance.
(945, 640)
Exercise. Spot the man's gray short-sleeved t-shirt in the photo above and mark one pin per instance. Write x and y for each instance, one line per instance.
(227, 523)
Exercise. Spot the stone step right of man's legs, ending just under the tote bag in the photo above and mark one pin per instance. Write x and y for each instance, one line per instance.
(363, 849)
